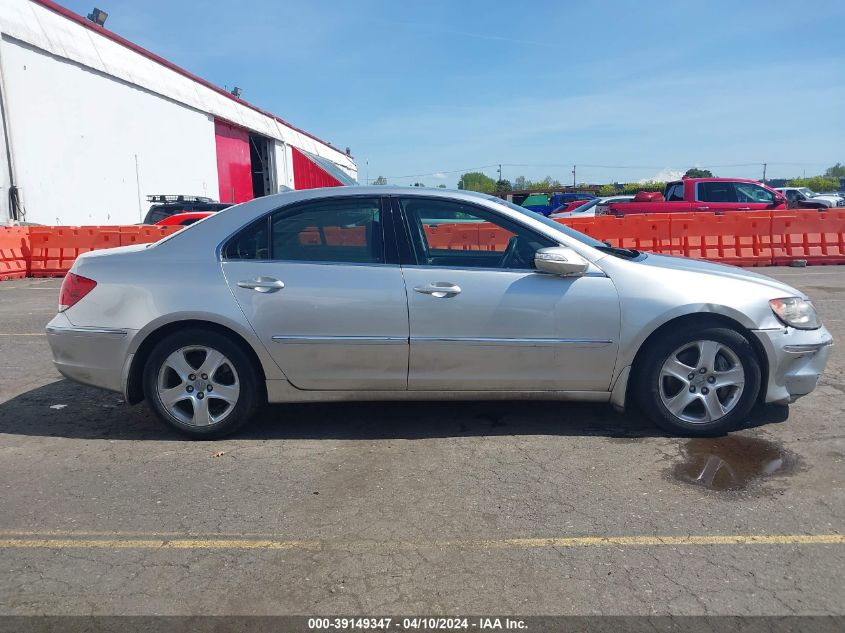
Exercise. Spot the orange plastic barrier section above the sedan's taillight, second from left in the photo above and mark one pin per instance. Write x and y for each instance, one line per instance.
(55, 248)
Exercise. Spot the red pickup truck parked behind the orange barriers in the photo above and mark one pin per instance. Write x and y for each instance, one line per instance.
(714, 195)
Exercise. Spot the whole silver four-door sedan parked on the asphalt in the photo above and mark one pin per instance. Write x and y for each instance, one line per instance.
(389, 293)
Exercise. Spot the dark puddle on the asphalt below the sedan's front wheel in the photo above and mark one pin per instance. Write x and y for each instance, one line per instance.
(732, 462)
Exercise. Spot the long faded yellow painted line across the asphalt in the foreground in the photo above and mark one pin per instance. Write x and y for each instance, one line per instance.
(194, 543)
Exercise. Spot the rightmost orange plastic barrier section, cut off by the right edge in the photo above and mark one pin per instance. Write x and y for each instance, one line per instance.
(810, 235)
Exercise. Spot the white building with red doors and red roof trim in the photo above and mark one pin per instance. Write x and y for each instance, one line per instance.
(92, 124)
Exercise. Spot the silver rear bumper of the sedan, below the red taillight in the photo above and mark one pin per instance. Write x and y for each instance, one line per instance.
(92, 356)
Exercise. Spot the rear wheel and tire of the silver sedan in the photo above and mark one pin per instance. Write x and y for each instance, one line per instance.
(202, 408)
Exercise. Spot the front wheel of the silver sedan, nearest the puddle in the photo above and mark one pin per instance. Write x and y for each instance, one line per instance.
(719, 398)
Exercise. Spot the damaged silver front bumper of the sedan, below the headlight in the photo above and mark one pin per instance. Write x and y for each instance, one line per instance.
(796, 360)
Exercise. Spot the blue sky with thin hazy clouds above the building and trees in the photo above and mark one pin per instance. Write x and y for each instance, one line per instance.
(624, 89)
